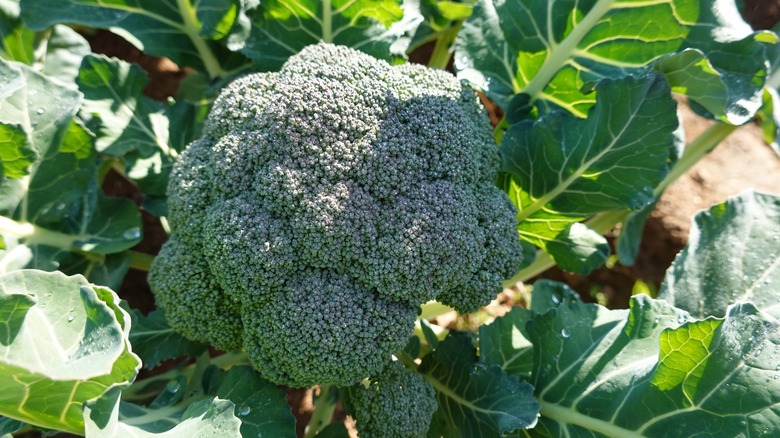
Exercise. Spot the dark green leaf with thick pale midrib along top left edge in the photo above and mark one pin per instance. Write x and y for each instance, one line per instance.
(143, 21)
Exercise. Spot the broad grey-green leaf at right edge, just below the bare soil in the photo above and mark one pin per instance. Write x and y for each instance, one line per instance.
(733, 254)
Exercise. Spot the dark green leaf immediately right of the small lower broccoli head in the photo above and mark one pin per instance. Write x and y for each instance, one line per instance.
(475, 399)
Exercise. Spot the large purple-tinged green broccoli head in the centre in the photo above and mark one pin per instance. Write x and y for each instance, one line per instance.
(323, 205)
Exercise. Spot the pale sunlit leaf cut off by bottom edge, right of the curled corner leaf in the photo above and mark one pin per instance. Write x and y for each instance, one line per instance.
(209, 417)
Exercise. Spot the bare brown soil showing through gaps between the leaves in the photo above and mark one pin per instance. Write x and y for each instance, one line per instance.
(743, 161)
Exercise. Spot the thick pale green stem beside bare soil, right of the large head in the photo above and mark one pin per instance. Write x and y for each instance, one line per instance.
(603, 222)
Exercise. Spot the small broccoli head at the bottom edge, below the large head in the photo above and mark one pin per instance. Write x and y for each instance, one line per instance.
(399, 404)
